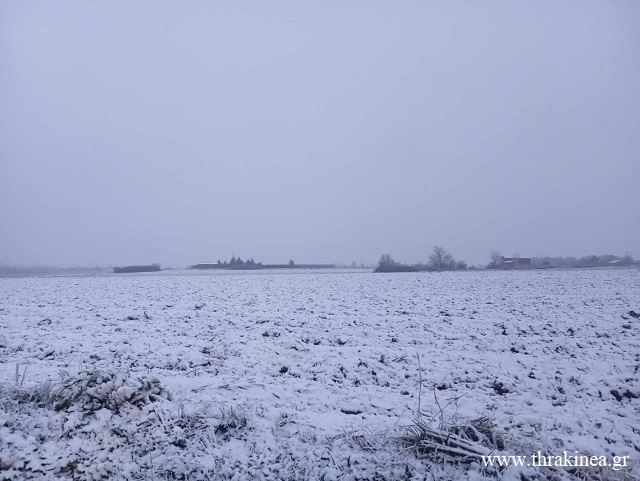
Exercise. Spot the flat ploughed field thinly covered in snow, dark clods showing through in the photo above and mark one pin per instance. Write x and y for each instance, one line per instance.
(315, 375)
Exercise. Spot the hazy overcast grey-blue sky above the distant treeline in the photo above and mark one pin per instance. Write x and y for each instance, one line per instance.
(178, 132)
